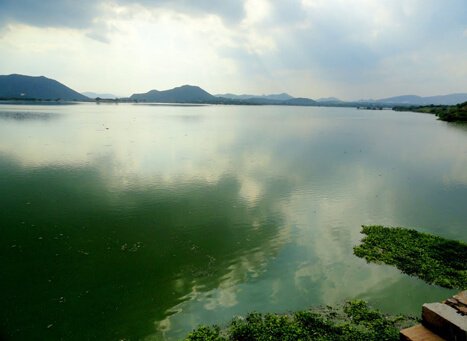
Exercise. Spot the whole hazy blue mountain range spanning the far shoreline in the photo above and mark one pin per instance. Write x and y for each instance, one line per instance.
(21, 87)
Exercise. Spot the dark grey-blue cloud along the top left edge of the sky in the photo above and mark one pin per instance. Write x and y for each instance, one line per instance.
(80, 14)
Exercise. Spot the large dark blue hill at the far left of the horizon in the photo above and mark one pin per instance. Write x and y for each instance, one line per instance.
(38, 88)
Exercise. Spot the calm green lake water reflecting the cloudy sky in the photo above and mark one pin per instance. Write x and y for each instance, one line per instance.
(140, 222)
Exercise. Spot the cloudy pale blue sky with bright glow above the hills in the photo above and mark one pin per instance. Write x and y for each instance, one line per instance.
(350, 49)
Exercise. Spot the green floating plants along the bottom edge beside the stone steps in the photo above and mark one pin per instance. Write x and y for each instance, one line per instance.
(352, 321)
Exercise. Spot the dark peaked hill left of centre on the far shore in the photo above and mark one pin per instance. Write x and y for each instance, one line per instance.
(182, 94)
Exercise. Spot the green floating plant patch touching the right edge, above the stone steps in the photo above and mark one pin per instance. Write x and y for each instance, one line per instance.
(433, 259)
